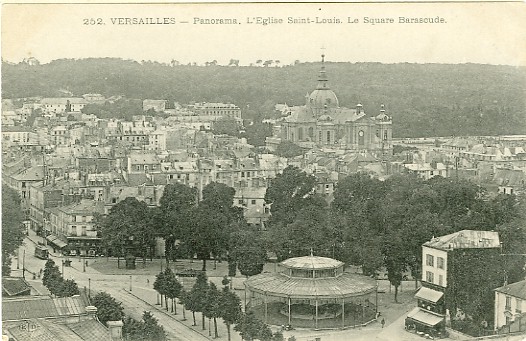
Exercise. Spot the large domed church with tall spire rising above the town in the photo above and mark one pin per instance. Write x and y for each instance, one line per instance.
(322, 123)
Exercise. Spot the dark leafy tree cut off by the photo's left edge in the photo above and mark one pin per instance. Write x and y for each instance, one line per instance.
(12, 227)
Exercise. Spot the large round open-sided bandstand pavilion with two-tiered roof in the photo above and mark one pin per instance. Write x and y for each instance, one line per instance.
(312, 292)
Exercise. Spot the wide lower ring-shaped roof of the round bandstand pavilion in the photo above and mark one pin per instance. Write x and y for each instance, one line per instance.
(277, 284)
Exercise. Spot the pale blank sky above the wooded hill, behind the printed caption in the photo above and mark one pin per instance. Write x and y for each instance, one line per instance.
(486, 33)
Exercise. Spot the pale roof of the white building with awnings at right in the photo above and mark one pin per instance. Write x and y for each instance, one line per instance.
(466, 239)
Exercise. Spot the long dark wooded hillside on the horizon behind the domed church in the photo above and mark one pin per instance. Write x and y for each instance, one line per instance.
(424, 99)
